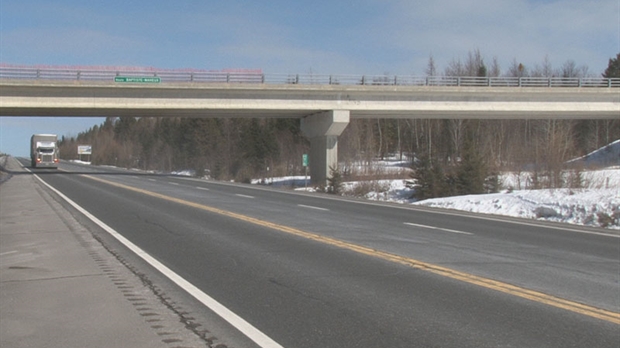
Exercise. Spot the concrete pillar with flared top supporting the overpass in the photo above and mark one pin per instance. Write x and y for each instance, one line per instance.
(323, 130)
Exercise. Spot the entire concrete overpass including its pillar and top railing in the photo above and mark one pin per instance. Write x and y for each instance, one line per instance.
(324, 104)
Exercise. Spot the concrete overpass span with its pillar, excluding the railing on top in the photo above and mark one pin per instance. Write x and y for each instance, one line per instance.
(324, 110)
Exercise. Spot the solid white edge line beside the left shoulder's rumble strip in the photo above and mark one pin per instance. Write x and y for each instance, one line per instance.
(246, 328)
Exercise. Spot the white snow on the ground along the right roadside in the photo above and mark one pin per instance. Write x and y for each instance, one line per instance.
(596, 205)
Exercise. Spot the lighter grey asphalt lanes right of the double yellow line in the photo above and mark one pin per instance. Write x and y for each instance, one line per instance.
(554, 261)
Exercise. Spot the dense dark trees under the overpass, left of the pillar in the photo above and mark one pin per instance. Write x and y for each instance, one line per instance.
(226, 149)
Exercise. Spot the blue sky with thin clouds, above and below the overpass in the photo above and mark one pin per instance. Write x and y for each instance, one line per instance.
(318, 36)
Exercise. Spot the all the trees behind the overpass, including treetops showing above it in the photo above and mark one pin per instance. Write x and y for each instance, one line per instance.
(451, 156)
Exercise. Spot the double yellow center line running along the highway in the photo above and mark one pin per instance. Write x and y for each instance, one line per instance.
(429, 267)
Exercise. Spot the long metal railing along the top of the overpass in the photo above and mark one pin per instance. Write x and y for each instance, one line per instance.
(257, 77)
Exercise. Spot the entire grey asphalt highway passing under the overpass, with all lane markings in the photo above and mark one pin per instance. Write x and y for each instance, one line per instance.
(313, 270)
